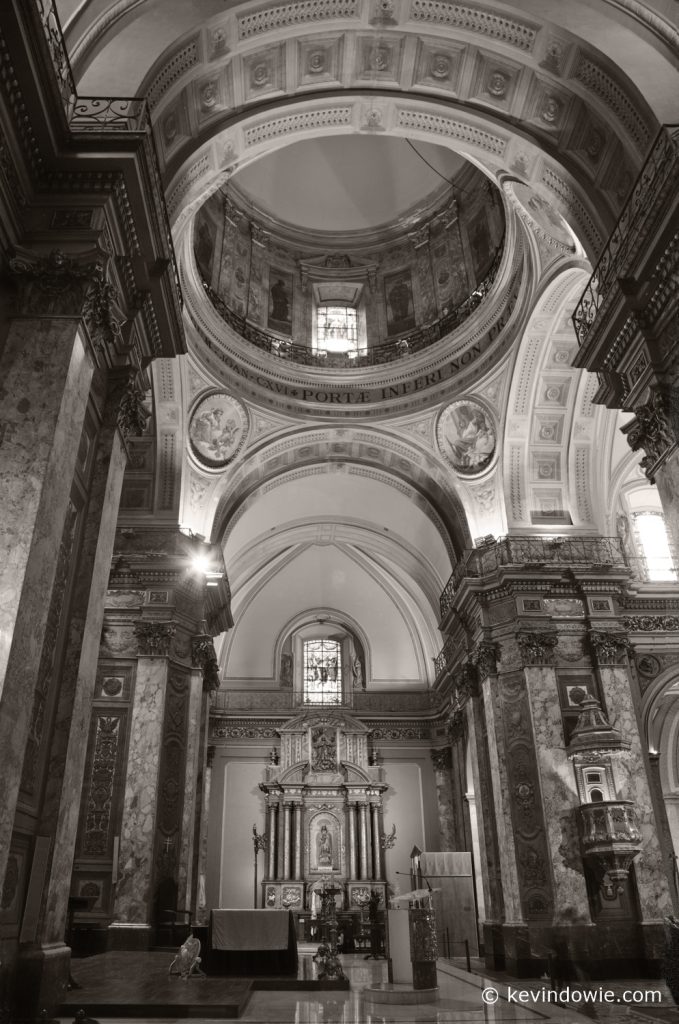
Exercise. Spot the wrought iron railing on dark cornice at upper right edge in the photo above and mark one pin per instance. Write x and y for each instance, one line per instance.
(658, 180)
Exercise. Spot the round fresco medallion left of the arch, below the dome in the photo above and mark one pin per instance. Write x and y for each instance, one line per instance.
(219, 430)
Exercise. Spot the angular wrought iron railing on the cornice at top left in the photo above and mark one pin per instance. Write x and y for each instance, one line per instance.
(100, 114)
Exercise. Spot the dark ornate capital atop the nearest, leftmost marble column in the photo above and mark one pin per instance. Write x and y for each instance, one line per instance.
(56, 285)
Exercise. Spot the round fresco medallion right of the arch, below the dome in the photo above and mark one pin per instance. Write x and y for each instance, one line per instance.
(466, 437)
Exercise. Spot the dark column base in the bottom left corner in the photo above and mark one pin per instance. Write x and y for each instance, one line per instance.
(41, 980)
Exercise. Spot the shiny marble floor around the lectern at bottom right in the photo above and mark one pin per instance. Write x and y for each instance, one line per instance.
(462, 998)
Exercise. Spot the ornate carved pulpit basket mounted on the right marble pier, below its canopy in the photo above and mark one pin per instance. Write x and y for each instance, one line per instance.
(610, 837)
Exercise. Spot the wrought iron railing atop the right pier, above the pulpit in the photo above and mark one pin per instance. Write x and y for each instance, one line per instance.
(533, 552)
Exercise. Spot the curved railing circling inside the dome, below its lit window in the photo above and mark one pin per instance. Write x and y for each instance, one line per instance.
(407, 345)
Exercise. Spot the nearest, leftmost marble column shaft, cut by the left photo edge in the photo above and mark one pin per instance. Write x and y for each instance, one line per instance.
(41, 426)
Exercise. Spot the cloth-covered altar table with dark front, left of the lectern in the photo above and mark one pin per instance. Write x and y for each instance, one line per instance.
(251, 943)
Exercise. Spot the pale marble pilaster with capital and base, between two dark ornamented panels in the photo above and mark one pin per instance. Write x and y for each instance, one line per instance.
(134, 902)
